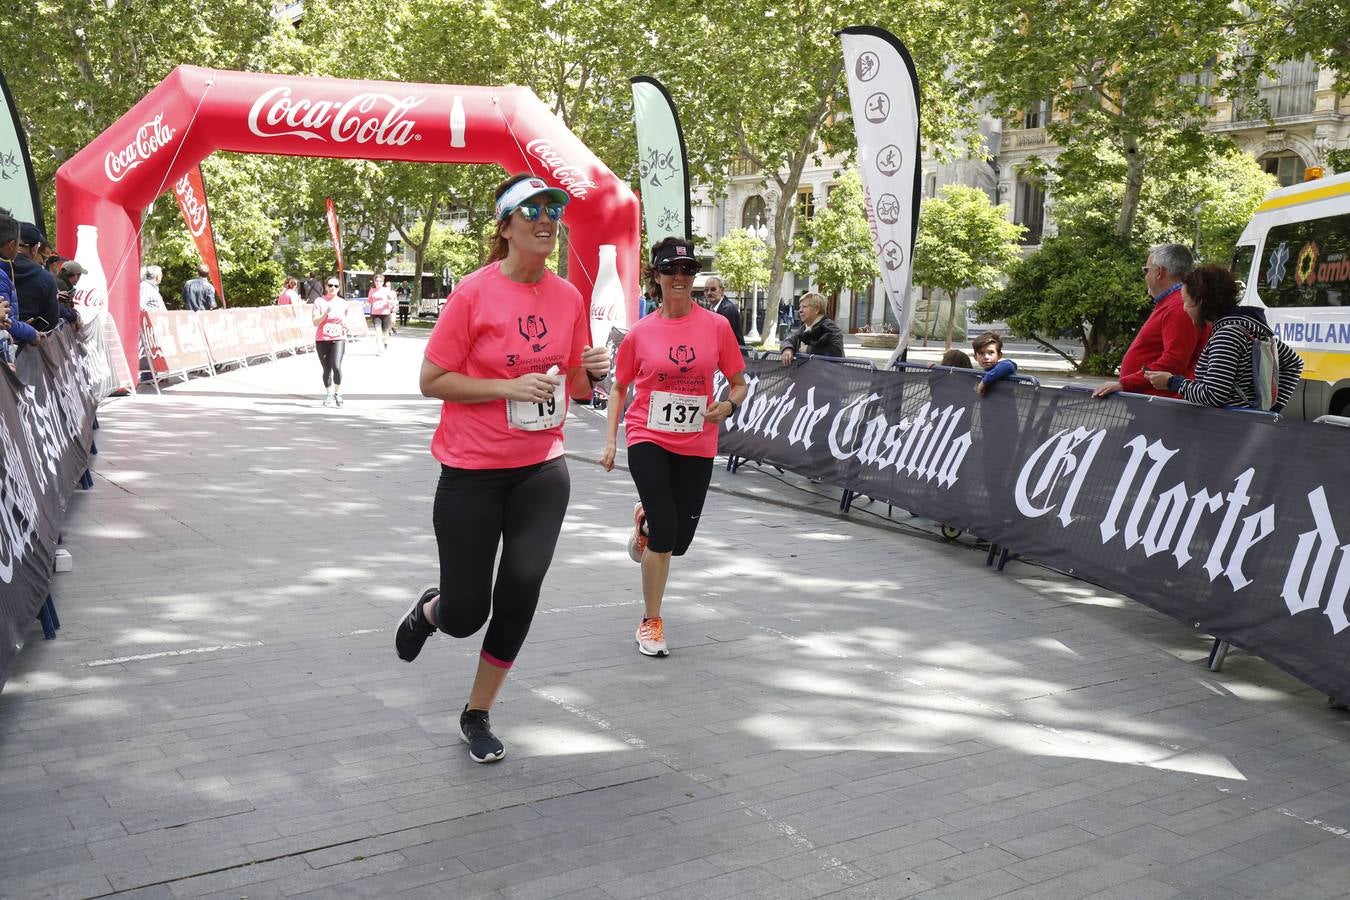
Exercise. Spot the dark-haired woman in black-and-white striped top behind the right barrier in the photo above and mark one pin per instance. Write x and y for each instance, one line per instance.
(1224, 374)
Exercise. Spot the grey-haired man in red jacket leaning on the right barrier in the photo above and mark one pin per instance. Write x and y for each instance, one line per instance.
(1170, 341)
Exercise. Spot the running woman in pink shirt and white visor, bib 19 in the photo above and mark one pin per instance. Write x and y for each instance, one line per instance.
(510, 349)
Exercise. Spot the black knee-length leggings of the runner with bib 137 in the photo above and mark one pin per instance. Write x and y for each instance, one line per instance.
(673, 489)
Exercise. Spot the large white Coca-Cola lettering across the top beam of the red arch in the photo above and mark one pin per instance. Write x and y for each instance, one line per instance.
(367, 118)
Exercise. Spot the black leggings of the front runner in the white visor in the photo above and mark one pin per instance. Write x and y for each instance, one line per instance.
(476, 511)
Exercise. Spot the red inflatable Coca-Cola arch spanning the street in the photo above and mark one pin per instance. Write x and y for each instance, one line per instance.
(196, 111)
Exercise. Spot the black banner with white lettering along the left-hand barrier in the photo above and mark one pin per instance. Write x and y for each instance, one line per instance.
(48, 412)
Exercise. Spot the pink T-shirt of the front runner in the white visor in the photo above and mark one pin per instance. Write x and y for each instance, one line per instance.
(493, 327)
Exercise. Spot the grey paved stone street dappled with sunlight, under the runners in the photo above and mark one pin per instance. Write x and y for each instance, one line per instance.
(853, 708)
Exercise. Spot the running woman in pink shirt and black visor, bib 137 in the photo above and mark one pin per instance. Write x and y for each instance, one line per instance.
(670, 358)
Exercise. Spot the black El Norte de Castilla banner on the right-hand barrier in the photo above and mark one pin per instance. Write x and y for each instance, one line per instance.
(1236, 524)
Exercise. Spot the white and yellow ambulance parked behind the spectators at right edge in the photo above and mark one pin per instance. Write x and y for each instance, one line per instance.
(1295, 260)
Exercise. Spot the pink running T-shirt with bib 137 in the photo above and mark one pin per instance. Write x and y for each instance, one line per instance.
(676, 360)
